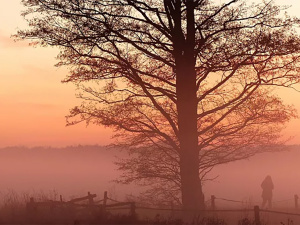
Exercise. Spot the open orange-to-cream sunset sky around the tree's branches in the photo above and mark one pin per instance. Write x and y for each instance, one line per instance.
(34, 102)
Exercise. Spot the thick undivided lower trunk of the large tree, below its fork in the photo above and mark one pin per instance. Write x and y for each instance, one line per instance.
(191, 188)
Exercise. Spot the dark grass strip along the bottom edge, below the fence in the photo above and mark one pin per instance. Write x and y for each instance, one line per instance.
(14, 210)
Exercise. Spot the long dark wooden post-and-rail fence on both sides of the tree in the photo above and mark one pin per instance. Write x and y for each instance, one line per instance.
(109, 204)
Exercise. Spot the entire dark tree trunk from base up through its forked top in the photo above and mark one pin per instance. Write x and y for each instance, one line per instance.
(191, 187)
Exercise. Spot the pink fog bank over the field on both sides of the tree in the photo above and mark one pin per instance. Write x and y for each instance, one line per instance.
(72, 172)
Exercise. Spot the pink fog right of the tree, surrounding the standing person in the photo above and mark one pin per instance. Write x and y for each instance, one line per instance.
(241, 180)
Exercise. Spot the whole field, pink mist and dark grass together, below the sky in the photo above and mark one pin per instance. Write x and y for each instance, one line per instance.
(90, 168)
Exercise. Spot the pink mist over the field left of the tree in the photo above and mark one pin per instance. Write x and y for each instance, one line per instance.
(70, 171)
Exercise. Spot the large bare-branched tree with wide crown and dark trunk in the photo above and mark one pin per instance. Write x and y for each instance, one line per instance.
(190, 79)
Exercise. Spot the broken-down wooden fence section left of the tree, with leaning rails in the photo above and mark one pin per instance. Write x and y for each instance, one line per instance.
(86, 207)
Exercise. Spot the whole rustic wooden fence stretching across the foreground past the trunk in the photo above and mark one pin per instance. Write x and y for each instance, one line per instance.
(106, 205)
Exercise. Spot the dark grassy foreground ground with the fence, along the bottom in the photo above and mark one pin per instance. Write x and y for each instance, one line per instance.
(51, 209)
